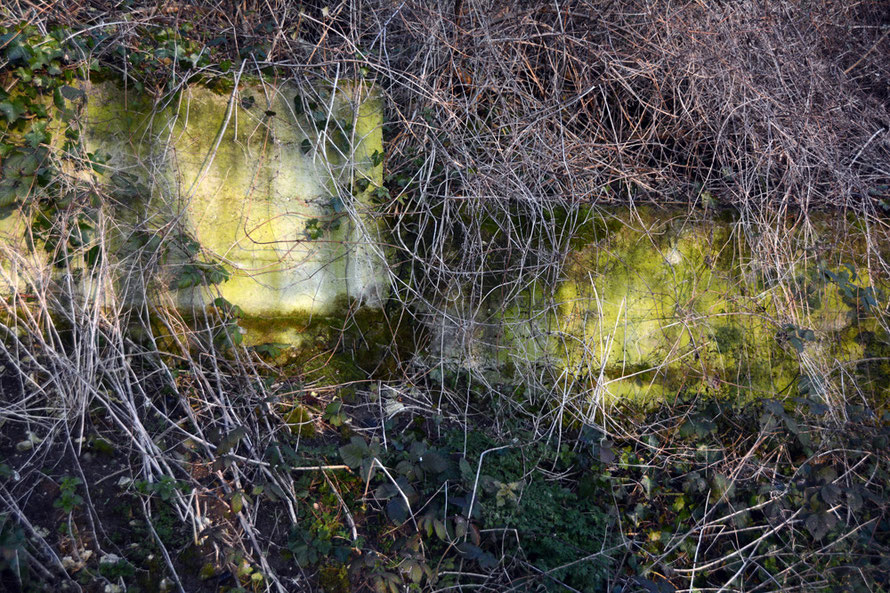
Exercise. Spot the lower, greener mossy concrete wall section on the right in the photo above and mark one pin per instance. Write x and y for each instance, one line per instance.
(657, 302)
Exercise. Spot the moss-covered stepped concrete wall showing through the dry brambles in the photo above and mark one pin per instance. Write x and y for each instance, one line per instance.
(650, 303)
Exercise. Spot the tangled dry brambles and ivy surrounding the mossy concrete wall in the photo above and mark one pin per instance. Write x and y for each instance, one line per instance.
(507, 124)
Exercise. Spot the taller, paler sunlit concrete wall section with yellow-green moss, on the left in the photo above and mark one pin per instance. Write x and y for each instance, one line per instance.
(267, 193)
